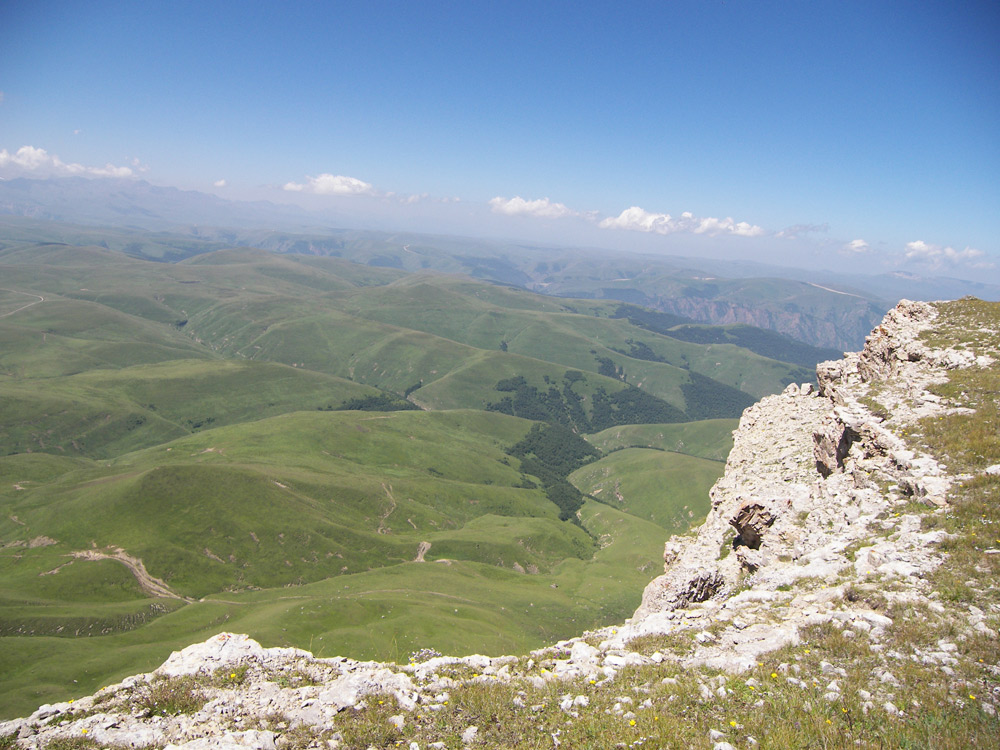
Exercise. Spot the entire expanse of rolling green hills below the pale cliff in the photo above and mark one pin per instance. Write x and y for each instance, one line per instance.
(176, 459)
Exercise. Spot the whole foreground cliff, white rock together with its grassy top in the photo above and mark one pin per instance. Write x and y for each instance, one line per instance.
(816, 527)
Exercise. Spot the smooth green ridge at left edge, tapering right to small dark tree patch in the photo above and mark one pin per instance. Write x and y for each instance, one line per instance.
(104, 413)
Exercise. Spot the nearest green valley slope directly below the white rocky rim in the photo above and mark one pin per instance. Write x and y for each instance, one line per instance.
(386, 613)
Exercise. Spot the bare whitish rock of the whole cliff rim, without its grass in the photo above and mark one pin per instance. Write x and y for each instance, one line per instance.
(818, 499)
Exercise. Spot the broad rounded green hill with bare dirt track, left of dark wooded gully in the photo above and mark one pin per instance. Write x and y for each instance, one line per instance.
(303, 497)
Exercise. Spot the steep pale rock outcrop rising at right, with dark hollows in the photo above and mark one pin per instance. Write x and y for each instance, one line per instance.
(812, 492)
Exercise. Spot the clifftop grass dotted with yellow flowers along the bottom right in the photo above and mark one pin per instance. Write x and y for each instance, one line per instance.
(780, 704)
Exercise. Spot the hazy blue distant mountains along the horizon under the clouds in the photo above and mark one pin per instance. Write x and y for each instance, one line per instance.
(832, 311)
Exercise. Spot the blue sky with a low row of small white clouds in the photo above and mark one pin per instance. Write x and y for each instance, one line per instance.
(847, 135)
